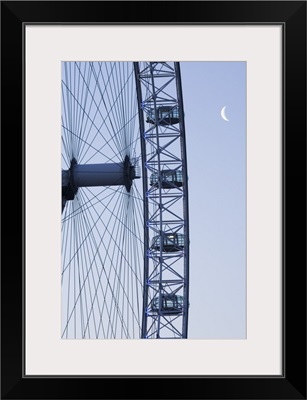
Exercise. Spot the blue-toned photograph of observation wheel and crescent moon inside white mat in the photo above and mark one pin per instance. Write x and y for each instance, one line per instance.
(153, 200)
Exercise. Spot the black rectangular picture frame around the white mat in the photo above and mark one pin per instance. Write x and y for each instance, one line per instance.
(292, 16)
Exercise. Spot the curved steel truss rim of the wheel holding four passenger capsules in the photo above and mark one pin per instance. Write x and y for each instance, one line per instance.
(166, 277)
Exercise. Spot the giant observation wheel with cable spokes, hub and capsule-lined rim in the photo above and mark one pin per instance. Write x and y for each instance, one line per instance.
(125, 223)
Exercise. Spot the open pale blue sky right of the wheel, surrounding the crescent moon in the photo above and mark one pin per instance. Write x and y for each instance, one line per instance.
(216, 152)
